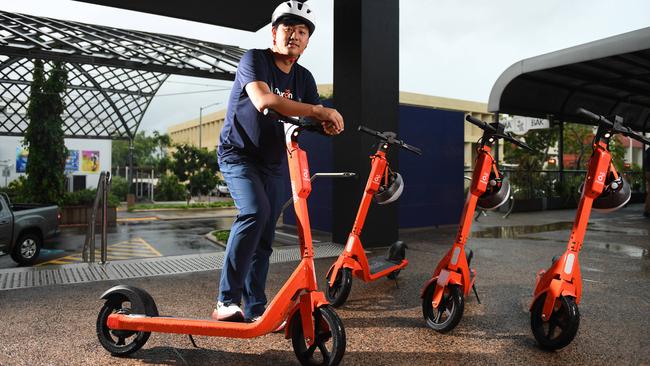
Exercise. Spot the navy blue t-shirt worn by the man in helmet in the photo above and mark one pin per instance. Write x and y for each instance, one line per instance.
(247, 134)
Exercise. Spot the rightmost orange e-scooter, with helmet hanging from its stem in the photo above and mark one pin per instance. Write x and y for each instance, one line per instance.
(554, 315)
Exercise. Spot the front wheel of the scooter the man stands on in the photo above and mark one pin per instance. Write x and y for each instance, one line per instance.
(329, 345)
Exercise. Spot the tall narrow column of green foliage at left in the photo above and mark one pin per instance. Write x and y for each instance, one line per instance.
(44, 136)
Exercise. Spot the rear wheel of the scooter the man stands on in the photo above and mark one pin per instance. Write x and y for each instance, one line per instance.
(118, 342)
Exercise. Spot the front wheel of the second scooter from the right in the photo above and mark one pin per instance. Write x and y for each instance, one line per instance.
(447, 314)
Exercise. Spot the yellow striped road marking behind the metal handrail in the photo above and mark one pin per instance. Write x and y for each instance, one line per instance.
(130, 249)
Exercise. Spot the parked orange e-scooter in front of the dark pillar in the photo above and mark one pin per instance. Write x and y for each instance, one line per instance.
(385, 186)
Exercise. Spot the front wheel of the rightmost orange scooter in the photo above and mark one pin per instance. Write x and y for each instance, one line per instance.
(565, 318)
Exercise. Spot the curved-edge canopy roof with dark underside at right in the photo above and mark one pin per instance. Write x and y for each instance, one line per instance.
(608, 76)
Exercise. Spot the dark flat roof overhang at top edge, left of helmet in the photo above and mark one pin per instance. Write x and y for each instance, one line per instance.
(249, 15)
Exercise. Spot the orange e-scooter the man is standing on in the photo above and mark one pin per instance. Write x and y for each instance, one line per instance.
(129, 314)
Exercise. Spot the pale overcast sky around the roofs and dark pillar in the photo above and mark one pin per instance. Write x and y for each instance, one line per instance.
(448, 48)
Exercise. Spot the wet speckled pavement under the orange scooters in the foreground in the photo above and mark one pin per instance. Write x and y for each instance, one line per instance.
(384, 325)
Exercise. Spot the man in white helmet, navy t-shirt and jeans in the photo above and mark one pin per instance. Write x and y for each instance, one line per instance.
(252, 151)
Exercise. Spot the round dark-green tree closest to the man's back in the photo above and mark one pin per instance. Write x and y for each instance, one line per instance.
(196, 166)
